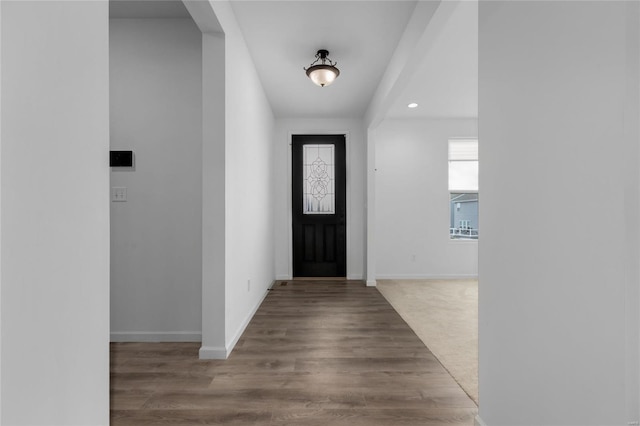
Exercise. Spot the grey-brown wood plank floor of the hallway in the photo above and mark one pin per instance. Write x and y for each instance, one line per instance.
(315, 353)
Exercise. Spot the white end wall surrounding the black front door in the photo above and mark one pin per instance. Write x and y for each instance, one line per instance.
(356, 191)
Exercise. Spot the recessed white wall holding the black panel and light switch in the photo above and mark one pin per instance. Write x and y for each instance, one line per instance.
(156, 236)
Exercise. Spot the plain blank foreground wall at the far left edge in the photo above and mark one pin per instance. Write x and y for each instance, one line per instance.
(55, 214)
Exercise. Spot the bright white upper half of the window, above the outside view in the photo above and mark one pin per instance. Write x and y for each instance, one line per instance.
(463, 165)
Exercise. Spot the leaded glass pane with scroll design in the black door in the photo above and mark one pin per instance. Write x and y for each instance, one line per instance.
(319, 195)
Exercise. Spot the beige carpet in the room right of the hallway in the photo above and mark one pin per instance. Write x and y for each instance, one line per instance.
(444, 315)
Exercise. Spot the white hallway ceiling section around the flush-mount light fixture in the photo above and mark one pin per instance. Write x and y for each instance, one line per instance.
(283, 37)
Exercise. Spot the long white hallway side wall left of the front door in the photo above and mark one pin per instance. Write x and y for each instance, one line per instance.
(249, 189)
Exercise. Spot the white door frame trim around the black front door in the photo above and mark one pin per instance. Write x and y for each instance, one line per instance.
(289, 192)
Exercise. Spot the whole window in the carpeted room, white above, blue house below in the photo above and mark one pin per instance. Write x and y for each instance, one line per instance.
(463, 189)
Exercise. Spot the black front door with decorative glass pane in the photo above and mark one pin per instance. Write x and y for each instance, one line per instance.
(319, 206)
